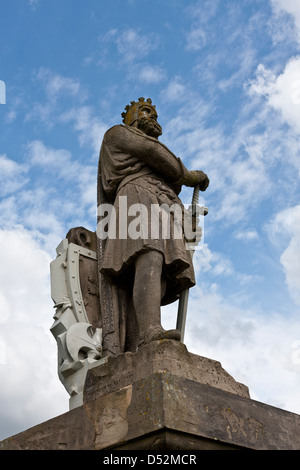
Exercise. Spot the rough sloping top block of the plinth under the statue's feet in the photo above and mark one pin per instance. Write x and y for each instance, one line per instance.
(164, 355)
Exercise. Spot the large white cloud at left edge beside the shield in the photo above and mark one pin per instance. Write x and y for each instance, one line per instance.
(30, 389)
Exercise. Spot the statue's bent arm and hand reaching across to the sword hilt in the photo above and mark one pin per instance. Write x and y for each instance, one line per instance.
(156, 155)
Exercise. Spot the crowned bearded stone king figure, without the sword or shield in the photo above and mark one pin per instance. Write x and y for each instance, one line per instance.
(137, 274)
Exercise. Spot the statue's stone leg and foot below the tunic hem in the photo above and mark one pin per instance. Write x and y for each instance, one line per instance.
(147, 298)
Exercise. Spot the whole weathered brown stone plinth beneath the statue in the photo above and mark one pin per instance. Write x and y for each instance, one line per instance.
(164, 398)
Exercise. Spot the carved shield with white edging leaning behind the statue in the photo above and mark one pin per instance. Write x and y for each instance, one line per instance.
(77, 320)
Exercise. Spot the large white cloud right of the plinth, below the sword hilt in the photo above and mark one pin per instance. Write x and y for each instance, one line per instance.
(256, 351)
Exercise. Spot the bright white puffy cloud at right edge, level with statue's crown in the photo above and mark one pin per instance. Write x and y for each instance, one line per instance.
(282, 92)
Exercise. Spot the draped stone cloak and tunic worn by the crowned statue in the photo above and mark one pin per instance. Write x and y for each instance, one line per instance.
(142, 169)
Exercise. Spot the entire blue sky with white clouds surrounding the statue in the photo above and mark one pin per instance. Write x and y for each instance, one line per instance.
(225, 78)
